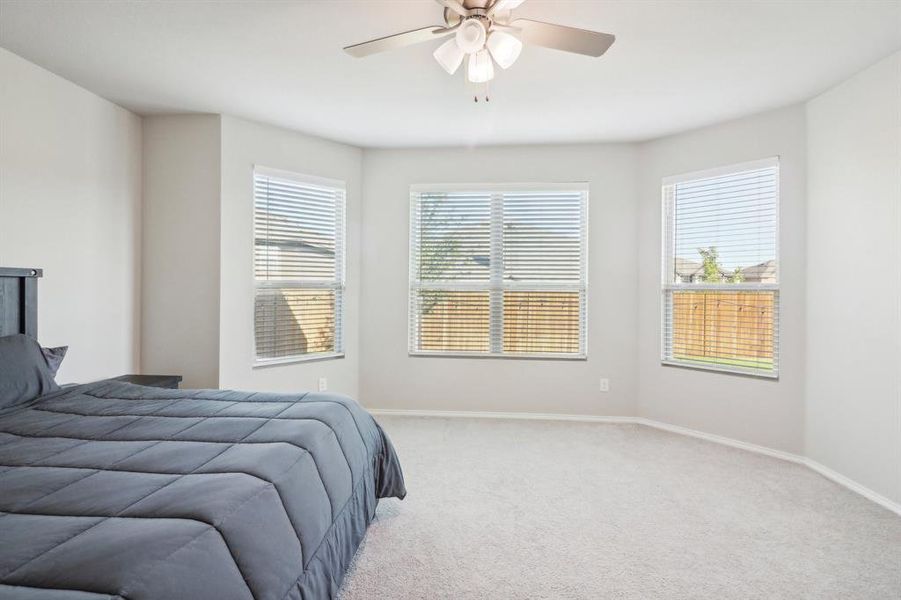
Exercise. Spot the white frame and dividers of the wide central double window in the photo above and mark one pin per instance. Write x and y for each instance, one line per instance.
(496, 189)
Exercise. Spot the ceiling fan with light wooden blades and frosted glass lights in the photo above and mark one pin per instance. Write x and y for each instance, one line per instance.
(485, 31)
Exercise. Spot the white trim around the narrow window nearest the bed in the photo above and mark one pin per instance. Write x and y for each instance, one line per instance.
(314, 181)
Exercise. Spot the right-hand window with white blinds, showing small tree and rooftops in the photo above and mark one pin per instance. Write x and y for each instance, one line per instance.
(721, 269)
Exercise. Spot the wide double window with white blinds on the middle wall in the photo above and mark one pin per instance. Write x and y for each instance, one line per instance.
(498, 270)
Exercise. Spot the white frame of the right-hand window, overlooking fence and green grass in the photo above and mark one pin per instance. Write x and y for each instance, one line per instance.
(667, 267)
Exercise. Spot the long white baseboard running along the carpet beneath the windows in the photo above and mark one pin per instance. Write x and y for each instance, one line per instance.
(826, 472)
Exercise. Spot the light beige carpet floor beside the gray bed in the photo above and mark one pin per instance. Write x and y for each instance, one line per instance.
(558, 510)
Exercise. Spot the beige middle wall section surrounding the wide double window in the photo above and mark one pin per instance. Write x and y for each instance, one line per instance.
(392, 379)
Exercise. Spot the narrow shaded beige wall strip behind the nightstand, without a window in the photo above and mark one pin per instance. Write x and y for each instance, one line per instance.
(180, 321)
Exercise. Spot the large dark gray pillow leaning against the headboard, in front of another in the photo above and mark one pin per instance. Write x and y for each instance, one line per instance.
(24, 372)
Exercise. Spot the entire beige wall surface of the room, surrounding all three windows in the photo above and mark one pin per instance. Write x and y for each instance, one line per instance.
(72, 163)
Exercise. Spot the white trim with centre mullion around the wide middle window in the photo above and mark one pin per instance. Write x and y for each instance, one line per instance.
(496, 284)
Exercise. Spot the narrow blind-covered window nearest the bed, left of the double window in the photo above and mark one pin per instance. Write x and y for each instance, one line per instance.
(298, 266)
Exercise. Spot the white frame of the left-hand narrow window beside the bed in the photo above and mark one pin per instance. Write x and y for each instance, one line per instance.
(339, 285)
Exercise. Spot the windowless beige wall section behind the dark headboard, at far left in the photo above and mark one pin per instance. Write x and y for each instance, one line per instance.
(70, 203)
